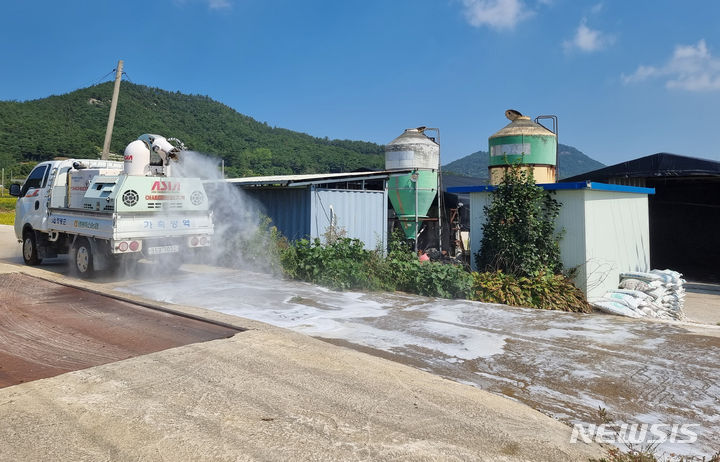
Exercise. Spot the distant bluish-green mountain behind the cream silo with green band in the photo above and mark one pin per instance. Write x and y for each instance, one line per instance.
(571, 161)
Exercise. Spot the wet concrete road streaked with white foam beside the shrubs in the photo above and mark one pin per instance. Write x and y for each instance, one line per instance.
(565, 365)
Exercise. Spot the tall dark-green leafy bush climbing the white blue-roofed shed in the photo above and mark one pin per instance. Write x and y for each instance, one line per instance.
(519, 232)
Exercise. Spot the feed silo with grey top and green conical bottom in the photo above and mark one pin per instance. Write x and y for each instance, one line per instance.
(412, 194)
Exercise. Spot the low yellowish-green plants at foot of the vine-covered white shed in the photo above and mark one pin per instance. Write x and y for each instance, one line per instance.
(543, 290)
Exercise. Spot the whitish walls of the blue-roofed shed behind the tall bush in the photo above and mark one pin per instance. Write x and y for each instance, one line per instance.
(605, 233)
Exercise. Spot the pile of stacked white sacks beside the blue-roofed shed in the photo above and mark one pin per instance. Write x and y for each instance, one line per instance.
(657, 294)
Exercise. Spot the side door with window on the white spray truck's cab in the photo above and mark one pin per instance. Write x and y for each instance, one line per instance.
(31, 205)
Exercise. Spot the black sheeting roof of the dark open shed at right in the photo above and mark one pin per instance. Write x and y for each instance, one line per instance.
(653, 166)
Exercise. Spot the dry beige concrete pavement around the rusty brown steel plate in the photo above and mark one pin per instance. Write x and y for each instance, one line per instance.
(266, 394)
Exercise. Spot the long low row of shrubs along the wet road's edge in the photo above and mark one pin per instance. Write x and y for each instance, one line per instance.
(344, 264)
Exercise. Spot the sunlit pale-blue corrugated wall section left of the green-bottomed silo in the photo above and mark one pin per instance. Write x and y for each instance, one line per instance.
(362, 214)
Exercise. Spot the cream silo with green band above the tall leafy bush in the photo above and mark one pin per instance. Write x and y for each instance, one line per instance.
(526, 143)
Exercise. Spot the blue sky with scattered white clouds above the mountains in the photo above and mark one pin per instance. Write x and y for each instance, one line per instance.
(626, 78)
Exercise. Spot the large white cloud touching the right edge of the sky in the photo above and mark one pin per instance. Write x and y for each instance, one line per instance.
(691, 68)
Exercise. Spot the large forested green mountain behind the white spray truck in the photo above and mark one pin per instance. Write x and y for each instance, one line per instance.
(73, 125)
